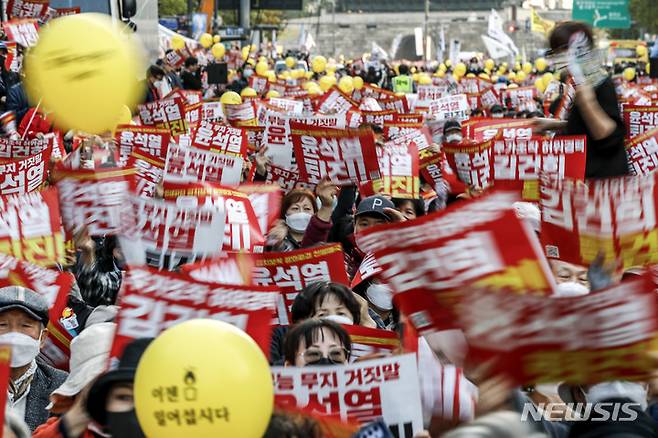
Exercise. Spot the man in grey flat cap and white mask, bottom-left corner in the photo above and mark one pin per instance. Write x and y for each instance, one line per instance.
(23, 321)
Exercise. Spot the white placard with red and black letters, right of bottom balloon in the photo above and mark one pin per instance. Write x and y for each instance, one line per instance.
(360, 392)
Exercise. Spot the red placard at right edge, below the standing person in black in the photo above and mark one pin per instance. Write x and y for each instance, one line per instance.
(616, 217)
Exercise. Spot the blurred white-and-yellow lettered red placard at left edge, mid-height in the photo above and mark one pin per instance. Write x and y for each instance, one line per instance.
(31, 228)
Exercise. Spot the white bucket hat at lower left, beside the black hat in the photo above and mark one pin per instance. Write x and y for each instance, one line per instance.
(90, 352)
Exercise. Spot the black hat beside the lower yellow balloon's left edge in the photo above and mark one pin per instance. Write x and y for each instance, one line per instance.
(132, 353)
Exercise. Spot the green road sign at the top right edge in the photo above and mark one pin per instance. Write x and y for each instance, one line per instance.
(612, 14)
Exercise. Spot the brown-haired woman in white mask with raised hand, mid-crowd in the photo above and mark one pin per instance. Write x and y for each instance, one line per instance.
(303, 223)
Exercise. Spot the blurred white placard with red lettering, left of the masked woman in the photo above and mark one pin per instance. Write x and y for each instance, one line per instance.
(166, 235)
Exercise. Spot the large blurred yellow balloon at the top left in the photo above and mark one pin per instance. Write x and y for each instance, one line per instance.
(84, 70)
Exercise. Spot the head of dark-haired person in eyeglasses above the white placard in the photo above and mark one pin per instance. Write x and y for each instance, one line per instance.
(317, 342)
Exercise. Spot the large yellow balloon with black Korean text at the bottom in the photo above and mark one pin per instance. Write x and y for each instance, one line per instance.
(214, 366)
